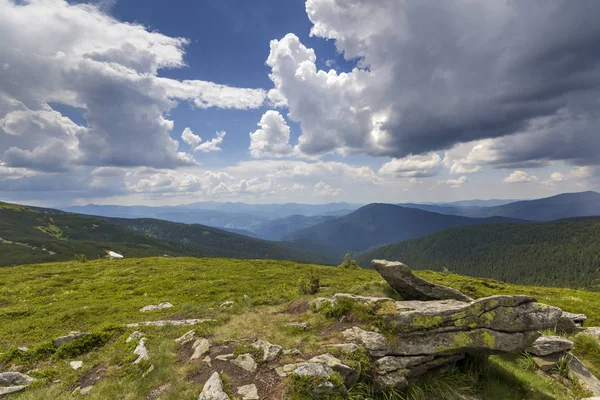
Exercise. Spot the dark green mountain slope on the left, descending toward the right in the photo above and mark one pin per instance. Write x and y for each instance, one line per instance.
(33, 235)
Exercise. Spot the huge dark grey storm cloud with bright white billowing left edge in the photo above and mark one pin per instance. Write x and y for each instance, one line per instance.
(430, 76)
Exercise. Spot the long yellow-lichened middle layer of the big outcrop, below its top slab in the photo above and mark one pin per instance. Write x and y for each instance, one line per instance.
(444, 343)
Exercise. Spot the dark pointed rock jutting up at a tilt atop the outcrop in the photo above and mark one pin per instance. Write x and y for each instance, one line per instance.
(410, 286)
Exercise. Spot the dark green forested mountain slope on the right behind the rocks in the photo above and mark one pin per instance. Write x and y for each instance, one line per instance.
(560, 253)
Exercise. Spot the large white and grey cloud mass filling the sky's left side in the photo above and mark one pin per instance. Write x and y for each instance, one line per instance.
(79, 56)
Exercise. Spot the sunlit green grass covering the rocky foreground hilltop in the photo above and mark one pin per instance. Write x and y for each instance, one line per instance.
(41, 302)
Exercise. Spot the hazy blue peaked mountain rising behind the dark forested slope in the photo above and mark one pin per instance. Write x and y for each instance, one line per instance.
(377, 224)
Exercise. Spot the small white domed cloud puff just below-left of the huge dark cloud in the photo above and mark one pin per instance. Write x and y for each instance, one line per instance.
(273, 137)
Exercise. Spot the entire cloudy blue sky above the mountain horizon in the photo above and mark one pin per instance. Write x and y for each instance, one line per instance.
(160, 102)
